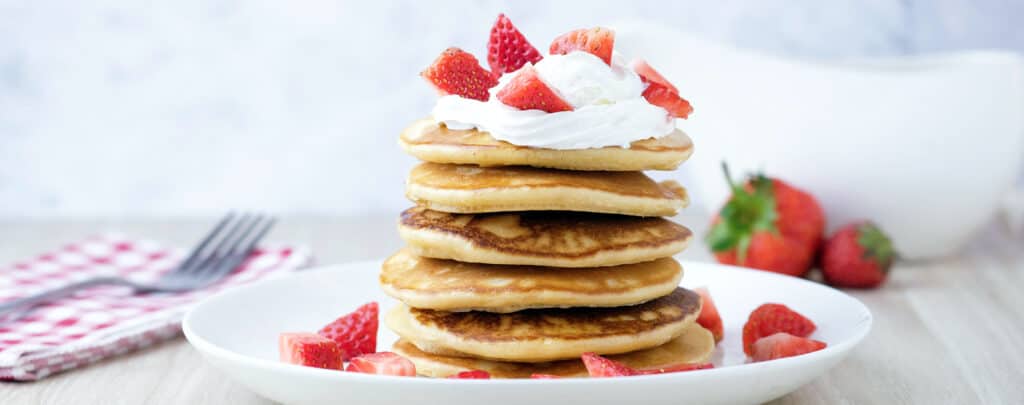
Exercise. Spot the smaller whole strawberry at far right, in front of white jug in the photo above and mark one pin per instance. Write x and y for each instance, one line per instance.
(858, 256)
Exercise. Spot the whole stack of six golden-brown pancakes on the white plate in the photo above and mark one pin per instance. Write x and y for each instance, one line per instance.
(522, 259)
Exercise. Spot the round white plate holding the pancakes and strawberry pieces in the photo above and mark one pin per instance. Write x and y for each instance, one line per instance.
(237, 332)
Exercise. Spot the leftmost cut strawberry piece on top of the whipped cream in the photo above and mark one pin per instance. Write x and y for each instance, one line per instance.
(457, 72)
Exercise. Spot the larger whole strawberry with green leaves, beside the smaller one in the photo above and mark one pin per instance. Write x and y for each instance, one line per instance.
(770, 226)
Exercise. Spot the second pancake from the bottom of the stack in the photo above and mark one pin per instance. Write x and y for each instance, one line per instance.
(546, 335)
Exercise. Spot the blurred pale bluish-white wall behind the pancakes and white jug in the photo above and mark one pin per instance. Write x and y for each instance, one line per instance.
(194, 107)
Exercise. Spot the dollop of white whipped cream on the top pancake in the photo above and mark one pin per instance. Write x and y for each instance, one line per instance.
(609, 108)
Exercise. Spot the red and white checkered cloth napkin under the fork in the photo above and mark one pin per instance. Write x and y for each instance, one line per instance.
(106, 322)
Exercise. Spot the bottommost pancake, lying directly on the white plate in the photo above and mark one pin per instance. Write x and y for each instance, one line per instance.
(695, 346)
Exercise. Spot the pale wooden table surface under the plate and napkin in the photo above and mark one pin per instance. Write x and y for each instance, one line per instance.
(948, 332)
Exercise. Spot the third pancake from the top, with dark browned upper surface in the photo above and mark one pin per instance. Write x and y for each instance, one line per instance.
(552, 239)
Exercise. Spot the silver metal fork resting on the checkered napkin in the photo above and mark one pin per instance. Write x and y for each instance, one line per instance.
(222, 251)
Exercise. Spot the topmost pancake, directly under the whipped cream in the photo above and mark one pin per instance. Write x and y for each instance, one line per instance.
(434, 143)
